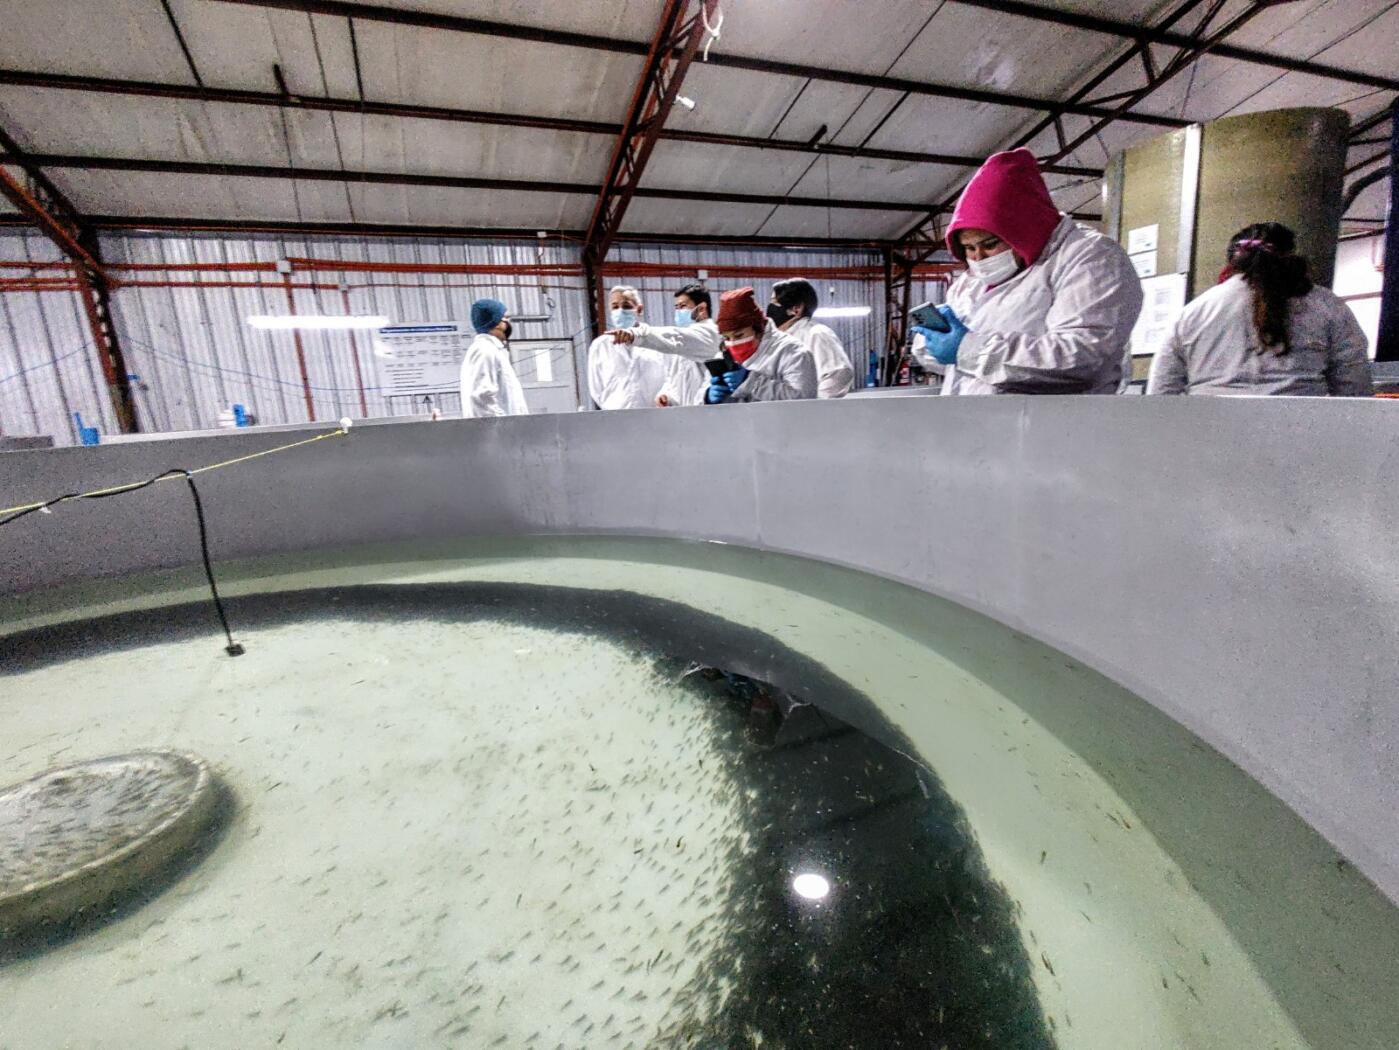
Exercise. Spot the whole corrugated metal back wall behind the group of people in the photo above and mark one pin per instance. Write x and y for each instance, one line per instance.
(194, 356)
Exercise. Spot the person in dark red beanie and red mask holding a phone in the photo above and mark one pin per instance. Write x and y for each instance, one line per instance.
(769, 366)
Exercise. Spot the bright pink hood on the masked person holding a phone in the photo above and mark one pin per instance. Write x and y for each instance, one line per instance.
(1008, 196)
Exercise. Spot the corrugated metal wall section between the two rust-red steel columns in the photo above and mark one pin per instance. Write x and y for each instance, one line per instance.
(197, 356)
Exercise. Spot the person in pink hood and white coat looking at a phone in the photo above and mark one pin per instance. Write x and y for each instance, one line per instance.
(1047, 307)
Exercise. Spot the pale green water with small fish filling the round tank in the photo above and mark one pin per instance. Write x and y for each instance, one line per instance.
(404, 781)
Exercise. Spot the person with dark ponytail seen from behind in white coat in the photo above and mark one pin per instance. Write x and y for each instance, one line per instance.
(1265, 329)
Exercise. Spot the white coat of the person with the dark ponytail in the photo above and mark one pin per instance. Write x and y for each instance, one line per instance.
(1214, 349)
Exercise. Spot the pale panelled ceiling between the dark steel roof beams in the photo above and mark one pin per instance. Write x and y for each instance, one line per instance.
(944, 43)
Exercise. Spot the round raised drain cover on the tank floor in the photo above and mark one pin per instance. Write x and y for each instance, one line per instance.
(75, 840)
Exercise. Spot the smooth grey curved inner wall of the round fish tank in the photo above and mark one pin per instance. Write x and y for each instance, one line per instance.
(1232, 561)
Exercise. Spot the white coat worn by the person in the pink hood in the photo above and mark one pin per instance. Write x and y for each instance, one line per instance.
(1061, 326)
